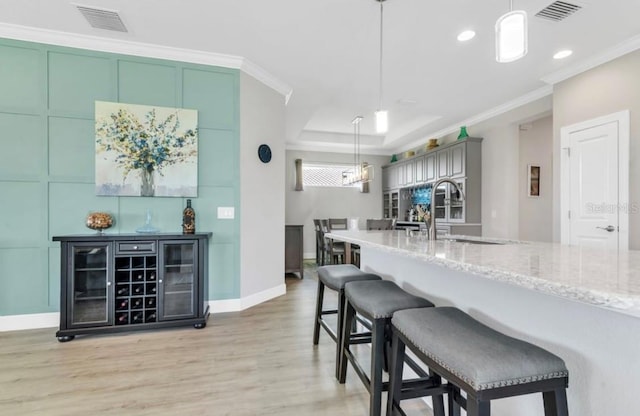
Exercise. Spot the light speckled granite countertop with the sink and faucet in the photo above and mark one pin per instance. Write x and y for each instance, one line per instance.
(601, 278)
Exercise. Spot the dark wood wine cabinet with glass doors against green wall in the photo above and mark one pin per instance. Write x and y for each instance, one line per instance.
(125, 282)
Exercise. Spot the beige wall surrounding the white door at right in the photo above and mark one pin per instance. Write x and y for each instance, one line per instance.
(606, 89)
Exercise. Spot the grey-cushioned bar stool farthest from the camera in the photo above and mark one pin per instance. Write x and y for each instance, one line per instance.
(335, 277)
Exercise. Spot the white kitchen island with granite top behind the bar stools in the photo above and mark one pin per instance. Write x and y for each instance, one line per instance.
(581, 304)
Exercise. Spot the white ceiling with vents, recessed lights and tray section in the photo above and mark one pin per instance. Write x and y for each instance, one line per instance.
(326, 52)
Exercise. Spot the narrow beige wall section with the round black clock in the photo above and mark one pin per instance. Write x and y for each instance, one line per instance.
(261, 190)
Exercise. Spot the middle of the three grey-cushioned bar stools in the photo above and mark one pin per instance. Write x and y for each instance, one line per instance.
(377, 301)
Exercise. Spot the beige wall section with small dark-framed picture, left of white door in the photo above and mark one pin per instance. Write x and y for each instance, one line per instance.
(535, 213)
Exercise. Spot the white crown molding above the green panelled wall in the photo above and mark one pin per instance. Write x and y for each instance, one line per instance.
(147, 50)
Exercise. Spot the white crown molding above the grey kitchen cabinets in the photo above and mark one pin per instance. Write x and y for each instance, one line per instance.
(486, 115)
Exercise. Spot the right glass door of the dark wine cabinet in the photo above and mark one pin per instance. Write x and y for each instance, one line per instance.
(178, 279)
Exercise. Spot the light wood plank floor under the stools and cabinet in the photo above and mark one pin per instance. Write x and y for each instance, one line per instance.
(257, 362)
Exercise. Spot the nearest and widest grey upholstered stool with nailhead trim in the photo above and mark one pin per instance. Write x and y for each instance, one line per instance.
(479, 360)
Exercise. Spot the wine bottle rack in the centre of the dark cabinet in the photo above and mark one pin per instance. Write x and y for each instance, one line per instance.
(136, 290)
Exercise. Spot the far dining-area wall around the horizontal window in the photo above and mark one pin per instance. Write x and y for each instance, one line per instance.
(303, 206)
